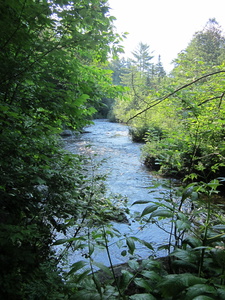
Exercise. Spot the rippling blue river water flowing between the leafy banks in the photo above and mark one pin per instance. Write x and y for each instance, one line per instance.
(126, 176)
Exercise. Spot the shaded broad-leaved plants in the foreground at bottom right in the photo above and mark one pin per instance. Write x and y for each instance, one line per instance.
(194, 267)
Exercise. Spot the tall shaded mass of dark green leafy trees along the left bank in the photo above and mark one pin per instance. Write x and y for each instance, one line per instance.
(50, 77)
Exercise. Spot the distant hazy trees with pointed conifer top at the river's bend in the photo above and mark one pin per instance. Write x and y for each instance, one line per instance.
(140, 76)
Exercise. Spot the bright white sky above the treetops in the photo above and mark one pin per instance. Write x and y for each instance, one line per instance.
(167, 26)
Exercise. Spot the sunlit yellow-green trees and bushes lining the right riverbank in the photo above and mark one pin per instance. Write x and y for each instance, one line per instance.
(181, 118)
